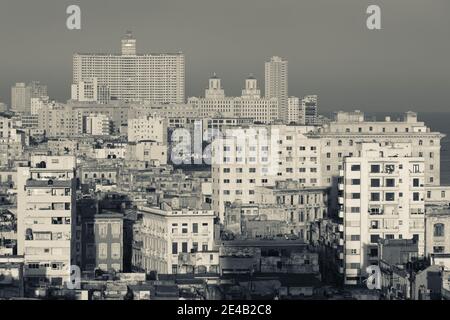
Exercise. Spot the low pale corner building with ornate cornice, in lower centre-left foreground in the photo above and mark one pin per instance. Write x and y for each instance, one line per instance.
(166, 234)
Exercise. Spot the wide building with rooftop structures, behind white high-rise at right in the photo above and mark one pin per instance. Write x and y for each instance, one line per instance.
(342, 138)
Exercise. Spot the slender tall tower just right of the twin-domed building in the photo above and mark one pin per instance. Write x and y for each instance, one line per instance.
(276, 73)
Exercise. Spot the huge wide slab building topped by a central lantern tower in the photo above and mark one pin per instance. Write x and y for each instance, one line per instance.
(130, 76)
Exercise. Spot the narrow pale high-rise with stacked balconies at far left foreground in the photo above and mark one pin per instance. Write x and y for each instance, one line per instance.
(46, 212)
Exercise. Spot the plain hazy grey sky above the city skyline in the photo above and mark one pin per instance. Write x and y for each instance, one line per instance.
(330, 51)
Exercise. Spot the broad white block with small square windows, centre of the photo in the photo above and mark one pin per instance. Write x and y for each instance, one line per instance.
(250, 157)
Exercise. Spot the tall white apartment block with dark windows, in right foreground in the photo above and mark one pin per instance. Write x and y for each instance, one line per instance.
(382, 197)
